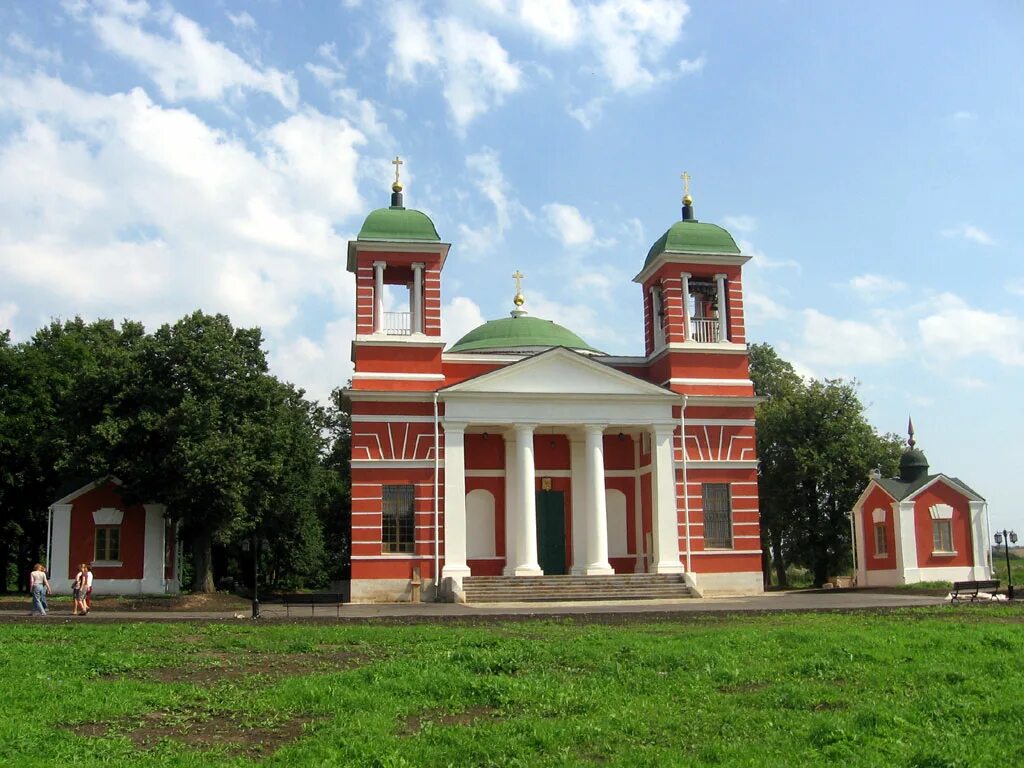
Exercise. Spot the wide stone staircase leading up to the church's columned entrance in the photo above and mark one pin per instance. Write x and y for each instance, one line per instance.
(570, 588)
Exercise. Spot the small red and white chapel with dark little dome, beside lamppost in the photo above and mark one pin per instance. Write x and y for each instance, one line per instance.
(920, 528)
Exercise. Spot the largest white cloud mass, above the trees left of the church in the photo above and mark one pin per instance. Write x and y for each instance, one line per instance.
(114, 206)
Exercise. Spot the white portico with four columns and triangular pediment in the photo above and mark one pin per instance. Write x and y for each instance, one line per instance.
(566, 396)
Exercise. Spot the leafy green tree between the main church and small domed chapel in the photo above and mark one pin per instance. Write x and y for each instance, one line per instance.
(817, 449)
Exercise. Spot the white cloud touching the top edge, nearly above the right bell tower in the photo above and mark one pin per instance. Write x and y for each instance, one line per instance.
(630, 36)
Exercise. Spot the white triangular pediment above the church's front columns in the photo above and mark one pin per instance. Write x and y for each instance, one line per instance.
(561, 372)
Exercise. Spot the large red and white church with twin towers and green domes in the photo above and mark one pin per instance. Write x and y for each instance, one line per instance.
(522, 462)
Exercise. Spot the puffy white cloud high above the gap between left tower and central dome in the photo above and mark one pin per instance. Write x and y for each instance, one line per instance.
(476, 70)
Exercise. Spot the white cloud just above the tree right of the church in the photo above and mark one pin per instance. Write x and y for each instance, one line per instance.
(834, 343)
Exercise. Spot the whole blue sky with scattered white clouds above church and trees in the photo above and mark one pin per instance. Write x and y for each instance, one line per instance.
(156, 158)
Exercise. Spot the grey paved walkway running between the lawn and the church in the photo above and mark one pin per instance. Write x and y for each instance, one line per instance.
(600, 611)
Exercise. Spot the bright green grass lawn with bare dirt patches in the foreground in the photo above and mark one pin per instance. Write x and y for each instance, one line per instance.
(923, 688)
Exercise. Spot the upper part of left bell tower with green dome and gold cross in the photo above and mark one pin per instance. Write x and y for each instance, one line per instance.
(398, 260)
